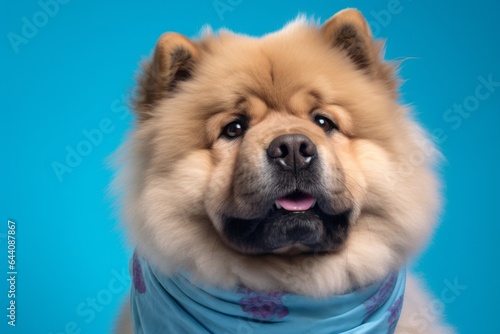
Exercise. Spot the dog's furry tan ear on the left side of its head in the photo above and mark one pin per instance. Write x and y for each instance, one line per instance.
(173, 61)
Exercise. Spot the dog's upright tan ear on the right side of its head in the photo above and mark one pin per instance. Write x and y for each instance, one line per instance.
(348, 30)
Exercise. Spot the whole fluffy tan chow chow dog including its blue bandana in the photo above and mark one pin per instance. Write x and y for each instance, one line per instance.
(276, 185)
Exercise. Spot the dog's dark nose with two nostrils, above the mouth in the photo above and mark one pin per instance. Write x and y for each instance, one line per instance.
(292, 152)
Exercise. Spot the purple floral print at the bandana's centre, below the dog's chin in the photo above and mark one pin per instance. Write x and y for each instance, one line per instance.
(263, 305)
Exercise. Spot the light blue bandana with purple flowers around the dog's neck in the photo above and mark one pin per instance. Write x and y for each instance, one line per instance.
(174, 304)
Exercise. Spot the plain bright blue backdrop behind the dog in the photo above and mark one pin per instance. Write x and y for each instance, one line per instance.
(74, 74)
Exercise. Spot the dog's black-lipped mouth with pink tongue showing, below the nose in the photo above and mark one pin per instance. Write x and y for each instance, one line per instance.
(295, 223)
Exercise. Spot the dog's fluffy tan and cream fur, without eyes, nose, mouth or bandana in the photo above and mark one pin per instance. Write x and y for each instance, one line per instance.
(181, 177)
